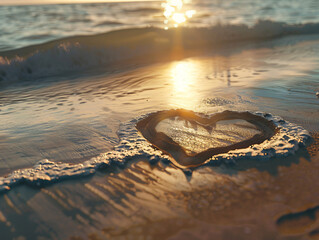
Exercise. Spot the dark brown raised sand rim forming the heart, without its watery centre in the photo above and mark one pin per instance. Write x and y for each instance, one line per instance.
(178, 154)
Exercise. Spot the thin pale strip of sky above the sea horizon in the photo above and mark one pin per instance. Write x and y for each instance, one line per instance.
(29, 2)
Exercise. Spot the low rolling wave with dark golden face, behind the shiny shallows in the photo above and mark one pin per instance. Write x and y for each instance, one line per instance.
(80, 53)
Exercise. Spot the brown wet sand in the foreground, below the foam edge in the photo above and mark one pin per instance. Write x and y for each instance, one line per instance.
(160, 202)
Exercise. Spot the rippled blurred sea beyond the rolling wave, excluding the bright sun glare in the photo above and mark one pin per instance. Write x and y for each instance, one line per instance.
(33, 24)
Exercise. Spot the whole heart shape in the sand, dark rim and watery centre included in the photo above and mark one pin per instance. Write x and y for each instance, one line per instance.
(191, 139)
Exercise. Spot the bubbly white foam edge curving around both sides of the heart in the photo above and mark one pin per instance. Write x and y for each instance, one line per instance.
(132, 146)
